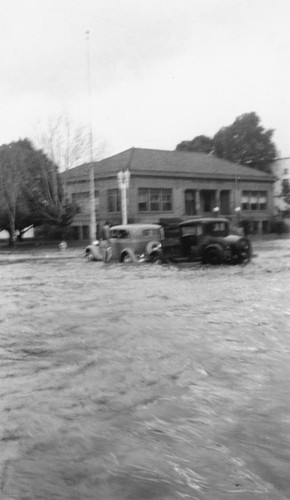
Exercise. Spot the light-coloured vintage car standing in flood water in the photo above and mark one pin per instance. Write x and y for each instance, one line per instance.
(127, 243)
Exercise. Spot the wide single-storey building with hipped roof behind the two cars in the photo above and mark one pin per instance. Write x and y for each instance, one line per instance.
(171, 184)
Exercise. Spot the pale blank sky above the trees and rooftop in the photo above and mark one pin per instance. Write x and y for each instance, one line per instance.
(162, 71)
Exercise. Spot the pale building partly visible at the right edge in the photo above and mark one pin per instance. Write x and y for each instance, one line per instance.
(281, 171)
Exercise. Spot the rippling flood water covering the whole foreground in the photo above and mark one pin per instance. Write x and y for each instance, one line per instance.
(145, 382)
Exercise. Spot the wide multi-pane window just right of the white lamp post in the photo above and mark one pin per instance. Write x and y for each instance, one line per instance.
(154, 200)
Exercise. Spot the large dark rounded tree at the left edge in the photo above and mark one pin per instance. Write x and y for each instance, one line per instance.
(31, 191)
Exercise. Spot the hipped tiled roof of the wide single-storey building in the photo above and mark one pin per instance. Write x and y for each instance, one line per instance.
(177, 163)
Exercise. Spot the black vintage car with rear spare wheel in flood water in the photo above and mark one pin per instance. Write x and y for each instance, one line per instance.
(208, 240)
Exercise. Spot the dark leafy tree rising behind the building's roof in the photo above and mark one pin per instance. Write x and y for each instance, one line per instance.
(245, 141)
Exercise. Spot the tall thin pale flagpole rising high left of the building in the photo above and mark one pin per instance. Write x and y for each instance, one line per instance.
(91, 172)
